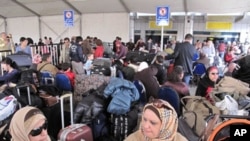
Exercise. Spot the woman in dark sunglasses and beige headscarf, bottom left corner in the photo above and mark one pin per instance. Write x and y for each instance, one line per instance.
(29, 124)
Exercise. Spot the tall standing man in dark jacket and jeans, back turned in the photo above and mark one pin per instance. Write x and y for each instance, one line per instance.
(183, 55)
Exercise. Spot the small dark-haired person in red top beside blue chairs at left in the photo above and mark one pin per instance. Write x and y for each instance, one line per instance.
(66, 67)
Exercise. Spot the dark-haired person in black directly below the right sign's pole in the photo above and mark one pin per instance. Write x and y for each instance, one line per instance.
(161, 74)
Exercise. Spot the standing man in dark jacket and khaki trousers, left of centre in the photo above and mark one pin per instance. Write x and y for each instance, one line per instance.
(77, 56)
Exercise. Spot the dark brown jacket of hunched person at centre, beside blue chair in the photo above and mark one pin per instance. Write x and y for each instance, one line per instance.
(147, 77)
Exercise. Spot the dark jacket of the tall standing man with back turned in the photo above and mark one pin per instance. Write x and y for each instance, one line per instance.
(183, 55)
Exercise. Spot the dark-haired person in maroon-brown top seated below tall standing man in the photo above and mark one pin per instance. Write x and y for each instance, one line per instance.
(174, 80)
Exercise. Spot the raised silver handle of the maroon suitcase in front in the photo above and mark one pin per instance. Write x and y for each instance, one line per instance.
(68, 95)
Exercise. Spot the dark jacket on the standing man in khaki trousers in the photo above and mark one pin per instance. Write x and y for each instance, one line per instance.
(76, 53)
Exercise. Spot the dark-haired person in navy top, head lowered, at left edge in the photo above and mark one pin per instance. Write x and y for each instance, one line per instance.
(11, 71)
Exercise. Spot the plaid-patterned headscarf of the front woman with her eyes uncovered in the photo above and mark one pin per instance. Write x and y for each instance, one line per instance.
(168, 117)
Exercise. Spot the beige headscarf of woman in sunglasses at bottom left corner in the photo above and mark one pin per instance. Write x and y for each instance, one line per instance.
(23, 121)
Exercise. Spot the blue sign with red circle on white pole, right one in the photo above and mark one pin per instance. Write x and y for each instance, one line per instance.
(162, 16)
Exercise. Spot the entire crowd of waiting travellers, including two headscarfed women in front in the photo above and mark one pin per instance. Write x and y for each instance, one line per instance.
(159, 119)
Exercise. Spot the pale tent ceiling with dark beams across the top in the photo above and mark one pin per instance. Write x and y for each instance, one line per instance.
(23, 8)
